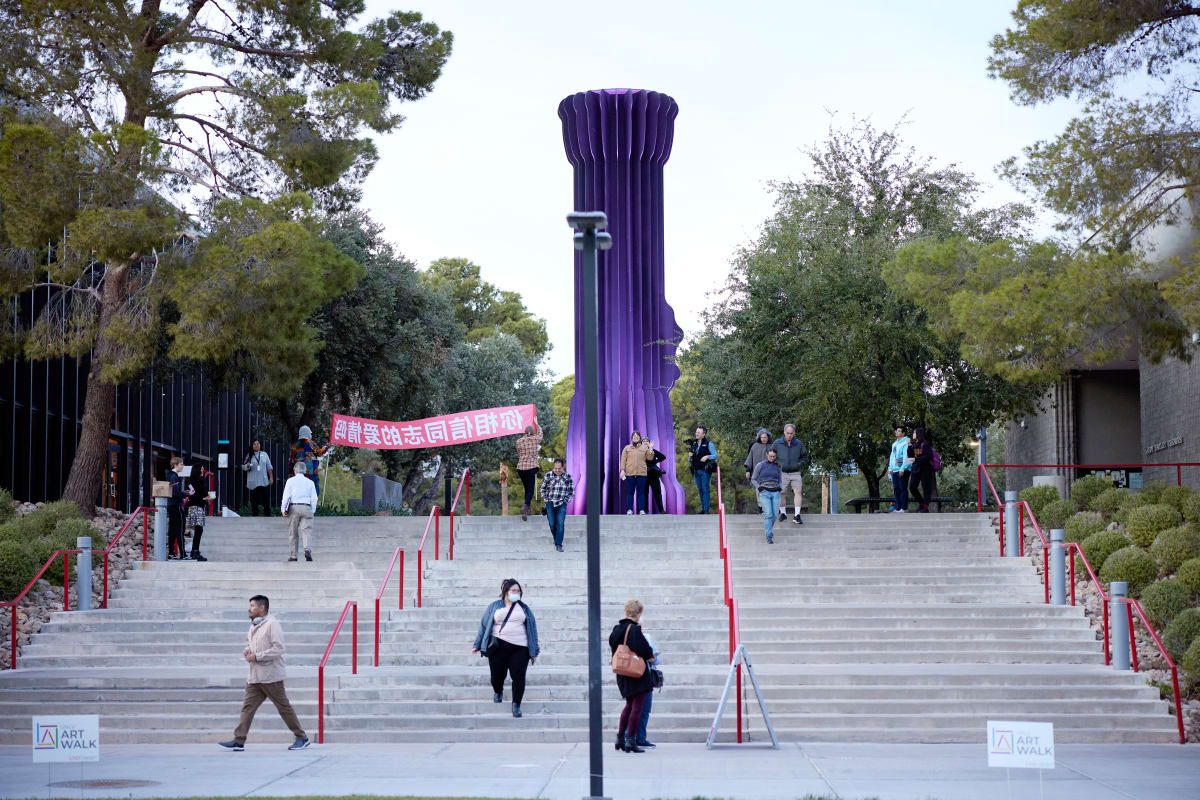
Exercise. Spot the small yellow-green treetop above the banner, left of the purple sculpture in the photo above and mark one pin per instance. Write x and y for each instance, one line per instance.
(483, 310)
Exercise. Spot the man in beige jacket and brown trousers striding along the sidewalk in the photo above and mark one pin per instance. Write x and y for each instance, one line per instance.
(265, 654)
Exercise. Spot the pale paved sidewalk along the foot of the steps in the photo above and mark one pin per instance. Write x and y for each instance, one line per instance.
(560, 772)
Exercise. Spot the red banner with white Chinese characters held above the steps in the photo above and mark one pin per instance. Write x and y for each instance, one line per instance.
(433, 432)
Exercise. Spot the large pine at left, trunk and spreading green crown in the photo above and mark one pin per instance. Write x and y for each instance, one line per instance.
(113, 109)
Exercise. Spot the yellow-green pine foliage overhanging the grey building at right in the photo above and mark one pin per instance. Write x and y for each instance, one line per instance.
(1130, 161)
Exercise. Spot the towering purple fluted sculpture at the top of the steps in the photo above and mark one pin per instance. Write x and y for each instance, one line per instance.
(619, 140)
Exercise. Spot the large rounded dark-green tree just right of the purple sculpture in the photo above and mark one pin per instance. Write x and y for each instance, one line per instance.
(811, 334)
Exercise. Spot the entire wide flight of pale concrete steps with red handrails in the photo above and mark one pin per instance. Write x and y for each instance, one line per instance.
(878, 629)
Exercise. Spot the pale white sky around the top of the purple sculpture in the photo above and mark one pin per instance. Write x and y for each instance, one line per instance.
(478, 169)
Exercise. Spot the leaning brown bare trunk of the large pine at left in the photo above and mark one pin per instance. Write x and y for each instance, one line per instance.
(88, 467)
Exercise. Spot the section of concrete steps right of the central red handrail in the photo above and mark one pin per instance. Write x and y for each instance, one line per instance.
(909, 628)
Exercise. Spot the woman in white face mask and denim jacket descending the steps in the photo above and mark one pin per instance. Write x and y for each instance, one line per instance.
(508, 636)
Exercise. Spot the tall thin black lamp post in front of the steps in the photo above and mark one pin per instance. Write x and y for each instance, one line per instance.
(589, 239)
